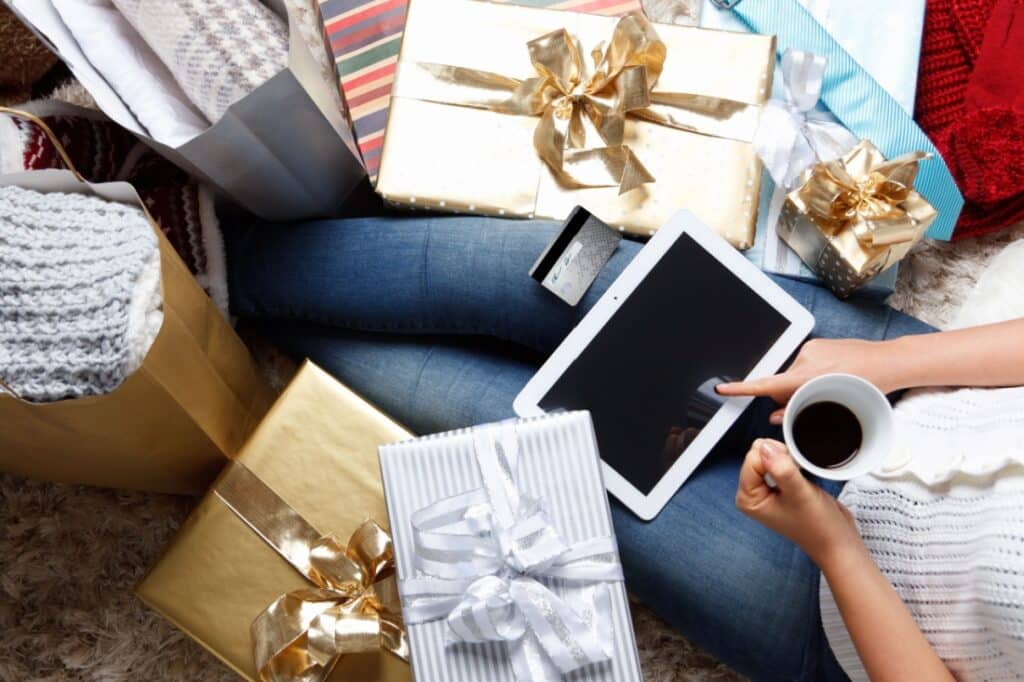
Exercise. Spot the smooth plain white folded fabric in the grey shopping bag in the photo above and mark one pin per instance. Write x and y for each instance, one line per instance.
(134, 70)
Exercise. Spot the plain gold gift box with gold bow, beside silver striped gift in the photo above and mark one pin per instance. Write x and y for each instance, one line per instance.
(278, 572)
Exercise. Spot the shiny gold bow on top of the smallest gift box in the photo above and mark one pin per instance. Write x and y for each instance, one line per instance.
(869, 196)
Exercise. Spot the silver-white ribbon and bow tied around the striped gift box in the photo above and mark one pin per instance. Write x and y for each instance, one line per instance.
(488, 561)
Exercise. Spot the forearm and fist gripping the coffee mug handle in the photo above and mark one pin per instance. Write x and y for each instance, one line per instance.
(890, 645)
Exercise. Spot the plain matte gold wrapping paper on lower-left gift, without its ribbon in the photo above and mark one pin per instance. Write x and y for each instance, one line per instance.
(317, 449)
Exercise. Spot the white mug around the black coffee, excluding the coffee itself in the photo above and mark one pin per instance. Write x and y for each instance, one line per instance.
(869, 405)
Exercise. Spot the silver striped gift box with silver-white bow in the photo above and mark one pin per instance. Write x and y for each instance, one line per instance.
(507, 562)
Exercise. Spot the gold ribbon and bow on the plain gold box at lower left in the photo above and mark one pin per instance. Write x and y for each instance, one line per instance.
(354, 606)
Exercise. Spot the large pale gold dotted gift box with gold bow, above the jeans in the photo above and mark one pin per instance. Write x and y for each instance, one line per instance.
(511, 111)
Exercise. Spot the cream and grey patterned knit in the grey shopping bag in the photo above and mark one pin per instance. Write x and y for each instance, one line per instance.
(219, 51)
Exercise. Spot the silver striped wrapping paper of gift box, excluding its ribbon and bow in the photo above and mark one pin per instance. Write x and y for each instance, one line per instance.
(560, 466)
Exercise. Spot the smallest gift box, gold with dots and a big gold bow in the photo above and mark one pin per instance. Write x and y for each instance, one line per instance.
(855, 218)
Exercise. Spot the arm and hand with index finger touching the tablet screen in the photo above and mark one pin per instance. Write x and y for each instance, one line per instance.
(988, 356)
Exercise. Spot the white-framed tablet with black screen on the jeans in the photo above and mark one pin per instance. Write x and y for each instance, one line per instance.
(690, 313)
